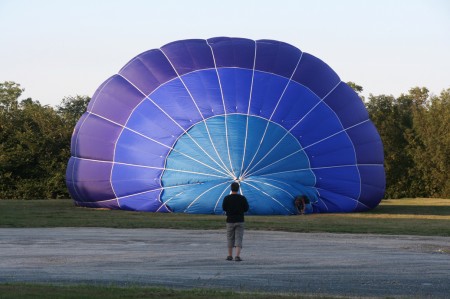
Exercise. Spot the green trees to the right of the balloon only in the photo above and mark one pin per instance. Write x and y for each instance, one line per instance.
(416, 139)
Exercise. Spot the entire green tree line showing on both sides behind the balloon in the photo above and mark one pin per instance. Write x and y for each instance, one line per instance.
(35, 142)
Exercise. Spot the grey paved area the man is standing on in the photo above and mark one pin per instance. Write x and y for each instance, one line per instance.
(281, 262)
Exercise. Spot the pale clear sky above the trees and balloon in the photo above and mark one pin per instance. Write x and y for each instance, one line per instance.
(65, 48)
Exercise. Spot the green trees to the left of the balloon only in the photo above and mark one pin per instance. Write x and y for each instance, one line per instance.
(35, 144)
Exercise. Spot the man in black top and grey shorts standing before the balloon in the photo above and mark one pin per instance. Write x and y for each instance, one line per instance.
(235, 205)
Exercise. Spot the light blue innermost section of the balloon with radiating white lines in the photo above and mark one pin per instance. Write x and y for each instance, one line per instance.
(269, 165)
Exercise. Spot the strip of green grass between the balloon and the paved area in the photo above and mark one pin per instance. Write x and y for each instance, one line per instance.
(425, 216)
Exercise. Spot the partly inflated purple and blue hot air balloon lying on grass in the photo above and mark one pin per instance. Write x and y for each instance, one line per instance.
(177, 125)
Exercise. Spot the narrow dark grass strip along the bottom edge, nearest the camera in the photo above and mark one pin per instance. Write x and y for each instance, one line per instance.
(22, 290)
